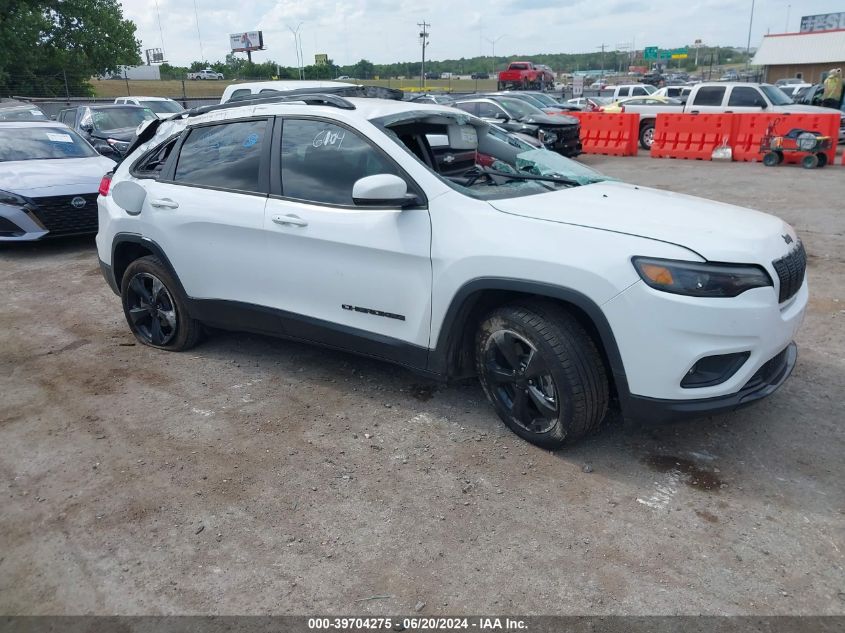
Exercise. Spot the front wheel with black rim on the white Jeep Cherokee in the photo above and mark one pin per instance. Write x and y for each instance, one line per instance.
(542, 372)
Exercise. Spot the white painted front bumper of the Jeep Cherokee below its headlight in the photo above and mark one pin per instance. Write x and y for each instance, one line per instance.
(661, 337)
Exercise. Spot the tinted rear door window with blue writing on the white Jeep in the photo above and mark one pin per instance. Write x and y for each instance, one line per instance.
(226, 156)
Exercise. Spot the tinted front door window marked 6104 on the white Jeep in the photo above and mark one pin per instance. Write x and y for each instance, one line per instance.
(321, 161)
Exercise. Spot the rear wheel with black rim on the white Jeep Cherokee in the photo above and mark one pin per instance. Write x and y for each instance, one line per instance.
(155, 307)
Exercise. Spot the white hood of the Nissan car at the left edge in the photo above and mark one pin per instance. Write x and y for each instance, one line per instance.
(54, 177)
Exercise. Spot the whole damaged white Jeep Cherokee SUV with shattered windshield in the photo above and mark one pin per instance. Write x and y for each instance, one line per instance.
(340, 222)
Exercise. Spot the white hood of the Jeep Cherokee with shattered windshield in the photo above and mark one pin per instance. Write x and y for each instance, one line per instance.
(716, 231)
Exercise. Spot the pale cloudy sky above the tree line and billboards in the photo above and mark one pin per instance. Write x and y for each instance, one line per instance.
(386, 30)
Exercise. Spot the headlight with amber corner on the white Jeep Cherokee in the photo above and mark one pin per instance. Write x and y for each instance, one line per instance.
(700, 279)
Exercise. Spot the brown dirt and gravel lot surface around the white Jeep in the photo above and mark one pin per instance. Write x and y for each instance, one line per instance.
(253, 475)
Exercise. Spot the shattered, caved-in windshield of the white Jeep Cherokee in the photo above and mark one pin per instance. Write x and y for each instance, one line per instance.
(484, 161)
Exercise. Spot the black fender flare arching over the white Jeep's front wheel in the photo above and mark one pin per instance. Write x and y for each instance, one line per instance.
(440, 357)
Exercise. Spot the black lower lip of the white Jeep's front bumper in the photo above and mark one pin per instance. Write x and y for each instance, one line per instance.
(765, 382)
